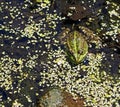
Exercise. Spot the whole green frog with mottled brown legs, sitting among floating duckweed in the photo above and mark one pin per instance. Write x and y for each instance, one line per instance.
(76, 43)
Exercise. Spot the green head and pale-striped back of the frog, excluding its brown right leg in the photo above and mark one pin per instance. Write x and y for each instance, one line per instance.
(76, 46)
